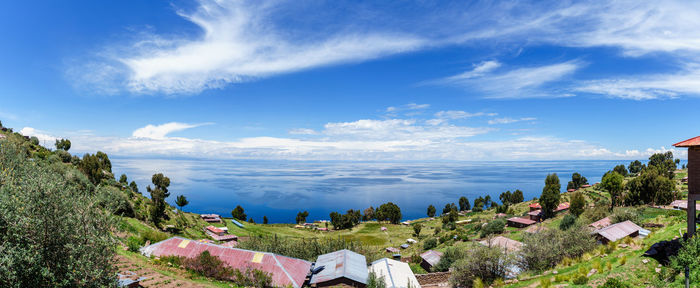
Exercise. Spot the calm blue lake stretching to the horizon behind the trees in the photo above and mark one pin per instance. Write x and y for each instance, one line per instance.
(280, 189)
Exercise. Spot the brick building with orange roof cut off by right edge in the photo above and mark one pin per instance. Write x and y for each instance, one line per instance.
(693, 145)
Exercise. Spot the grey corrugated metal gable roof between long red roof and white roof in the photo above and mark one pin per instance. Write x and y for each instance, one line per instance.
(342, 263)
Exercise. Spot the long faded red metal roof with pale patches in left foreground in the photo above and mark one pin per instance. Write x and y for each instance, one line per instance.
(285, 271)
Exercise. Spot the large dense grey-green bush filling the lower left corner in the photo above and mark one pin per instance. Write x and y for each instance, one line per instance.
(51, 232)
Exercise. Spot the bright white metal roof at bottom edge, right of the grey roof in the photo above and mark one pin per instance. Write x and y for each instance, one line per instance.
(396, 274)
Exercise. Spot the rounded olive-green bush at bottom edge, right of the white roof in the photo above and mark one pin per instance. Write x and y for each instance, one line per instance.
(485, 263)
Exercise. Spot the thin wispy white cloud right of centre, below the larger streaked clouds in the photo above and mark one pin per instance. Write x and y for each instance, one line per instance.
(516, 83)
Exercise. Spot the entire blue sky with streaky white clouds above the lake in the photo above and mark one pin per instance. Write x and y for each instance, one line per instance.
(341, 80)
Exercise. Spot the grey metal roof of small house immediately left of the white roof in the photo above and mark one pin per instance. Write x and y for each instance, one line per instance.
(340, 268)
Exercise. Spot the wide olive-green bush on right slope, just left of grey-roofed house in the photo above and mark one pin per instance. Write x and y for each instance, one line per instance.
(545, 249)
